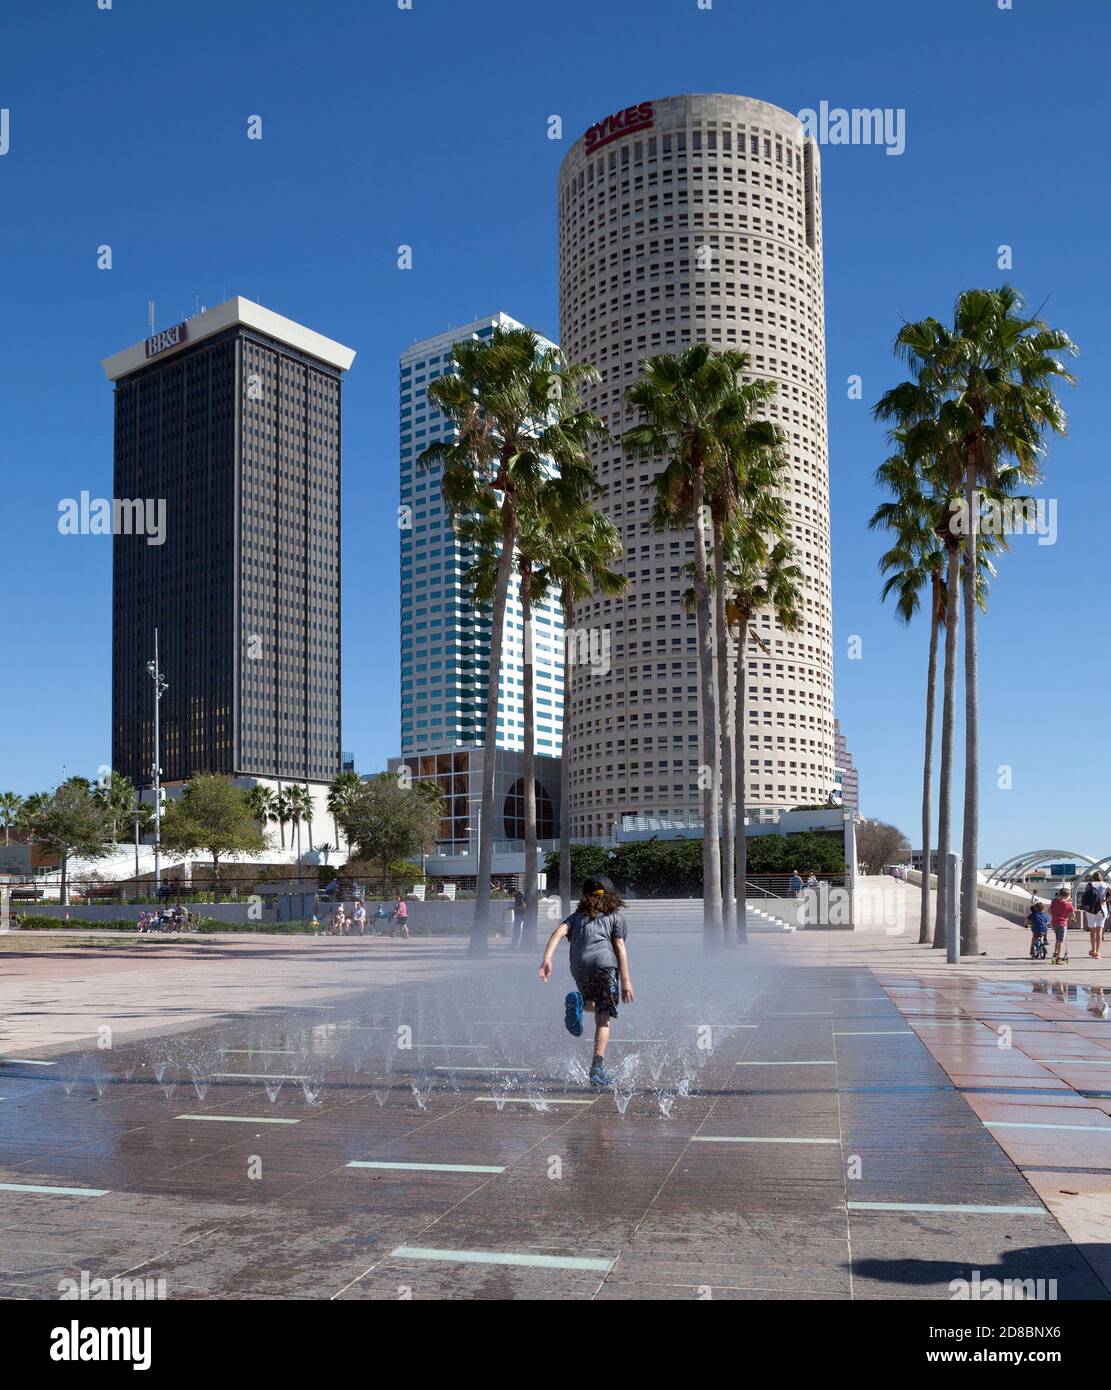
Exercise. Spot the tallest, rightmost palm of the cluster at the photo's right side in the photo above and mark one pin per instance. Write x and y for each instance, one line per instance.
(987, 386)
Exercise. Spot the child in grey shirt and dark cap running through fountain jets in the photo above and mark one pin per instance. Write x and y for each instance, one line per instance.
(600, 967)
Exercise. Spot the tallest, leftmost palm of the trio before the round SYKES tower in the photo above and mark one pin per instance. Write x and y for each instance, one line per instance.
(688, 405)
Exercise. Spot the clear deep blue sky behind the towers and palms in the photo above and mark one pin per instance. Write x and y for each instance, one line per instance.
(429, 129)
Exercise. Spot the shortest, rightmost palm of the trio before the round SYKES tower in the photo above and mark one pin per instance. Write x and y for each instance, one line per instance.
(760, 576)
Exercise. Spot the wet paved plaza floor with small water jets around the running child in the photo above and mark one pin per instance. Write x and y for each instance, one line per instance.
(788, 1124)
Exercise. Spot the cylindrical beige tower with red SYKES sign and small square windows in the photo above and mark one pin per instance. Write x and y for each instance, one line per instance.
(696, 219)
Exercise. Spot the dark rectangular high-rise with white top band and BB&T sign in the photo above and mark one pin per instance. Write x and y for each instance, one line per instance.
(230, 425)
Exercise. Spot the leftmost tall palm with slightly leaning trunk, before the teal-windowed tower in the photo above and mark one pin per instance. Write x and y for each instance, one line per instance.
(518, 420)
